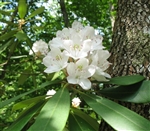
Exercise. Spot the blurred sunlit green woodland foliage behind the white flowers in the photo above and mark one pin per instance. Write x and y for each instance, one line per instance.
(20, 72)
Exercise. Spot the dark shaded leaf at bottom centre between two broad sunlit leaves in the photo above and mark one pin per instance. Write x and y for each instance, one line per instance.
(76, 123)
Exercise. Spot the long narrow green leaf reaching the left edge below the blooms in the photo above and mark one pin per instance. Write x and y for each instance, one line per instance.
(4, 103)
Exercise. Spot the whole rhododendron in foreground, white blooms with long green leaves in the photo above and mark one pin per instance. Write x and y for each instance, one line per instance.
(75, 65)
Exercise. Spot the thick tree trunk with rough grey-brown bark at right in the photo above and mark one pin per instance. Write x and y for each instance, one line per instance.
(130, 52)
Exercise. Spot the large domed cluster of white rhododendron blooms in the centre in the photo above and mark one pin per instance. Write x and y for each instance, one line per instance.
(78, 52)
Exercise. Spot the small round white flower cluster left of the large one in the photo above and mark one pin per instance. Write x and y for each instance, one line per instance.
(40, 48)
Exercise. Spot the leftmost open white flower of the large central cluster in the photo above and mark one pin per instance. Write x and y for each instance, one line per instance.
(55, 60)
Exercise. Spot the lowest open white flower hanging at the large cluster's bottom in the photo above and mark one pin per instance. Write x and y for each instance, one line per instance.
(79, 72)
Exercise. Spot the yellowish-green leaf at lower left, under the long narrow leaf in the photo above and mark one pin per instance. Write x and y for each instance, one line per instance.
(27, 103)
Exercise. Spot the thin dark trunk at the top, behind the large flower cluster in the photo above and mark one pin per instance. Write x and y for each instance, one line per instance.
(64, 12)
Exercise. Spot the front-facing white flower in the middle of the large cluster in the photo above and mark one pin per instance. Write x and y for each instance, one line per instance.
(76, 48)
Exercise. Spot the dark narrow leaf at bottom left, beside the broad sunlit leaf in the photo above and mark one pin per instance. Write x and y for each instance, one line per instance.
(25, 116)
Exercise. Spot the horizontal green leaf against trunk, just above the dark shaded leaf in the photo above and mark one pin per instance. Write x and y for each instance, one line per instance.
(126, 80)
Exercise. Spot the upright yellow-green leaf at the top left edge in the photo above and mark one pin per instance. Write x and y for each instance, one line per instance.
(22, 8)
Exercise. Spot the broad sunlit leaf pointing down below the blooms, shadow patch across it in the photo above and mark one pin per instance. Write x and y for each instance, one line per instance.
(54, 114)
